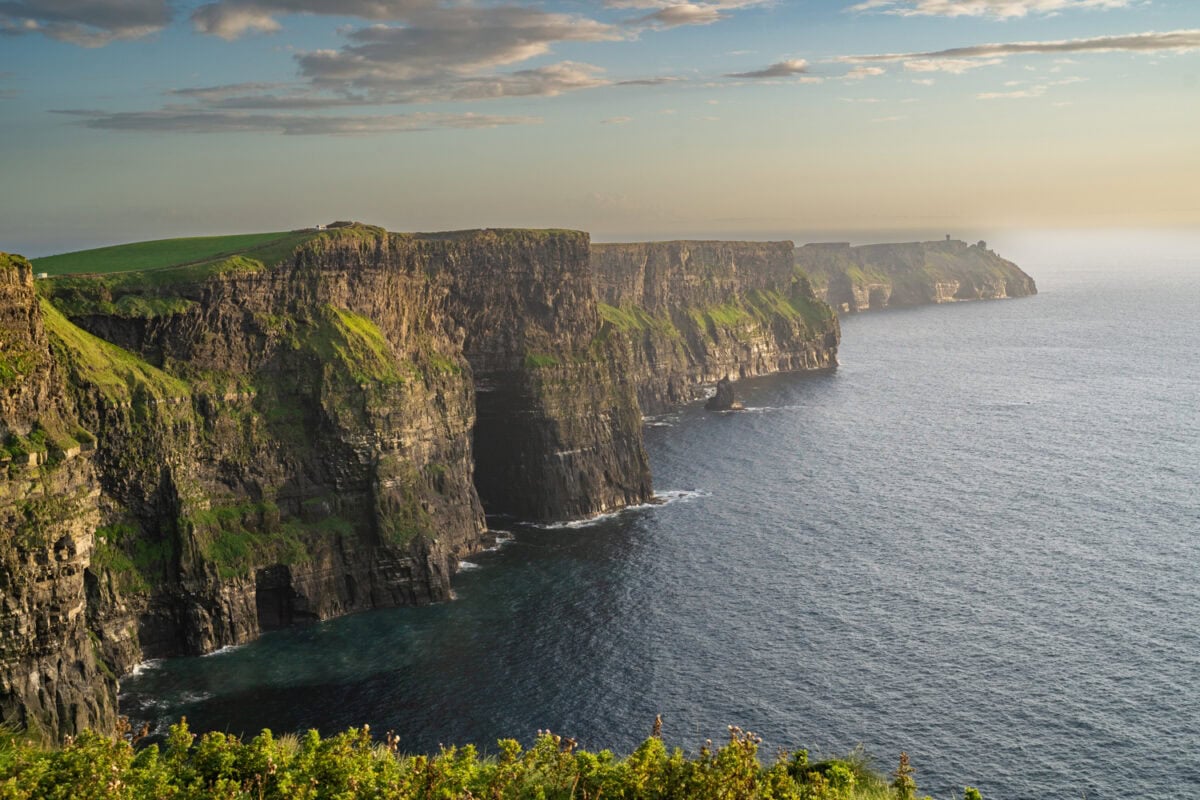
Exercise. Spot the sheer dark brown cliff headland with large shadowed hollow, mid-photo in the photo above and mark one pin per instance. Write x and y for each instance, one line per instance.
(559, 432)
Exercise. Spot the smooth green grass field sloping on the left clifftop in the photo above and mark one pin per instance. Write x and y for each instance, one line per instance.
(164, 254)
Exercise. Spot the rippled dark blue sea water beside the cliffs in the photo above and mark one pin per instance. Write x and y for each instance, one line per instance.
(979, 542)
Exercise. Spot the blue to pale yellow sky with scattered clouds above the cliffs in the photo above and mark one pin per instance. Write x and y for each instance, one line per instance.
(123, 121)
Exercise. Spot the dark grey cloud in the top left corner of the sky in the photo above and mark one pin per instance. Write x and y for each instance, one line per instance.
(88, 23)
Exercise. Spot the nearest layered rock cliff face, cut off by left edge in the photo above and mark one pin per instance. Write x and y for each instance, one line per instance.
(52, 681)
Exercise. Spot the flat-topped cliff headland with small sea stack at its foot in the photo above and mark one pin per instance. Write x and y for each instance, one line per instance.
(688, 314)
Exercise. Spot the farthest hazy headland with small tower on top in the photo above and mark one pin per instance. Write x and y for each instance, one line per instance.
(881, 276)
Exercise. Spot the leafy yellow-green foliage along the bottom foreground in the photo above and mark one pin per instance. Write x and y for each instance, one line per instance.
(353, 765)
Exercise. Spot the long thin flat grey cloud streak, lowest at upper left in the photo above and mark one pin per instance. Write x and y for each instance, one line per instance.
(206, 122)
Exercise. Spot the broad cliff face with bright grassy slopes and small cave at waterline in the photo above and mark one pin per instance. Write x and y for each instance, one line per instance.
(302, 450)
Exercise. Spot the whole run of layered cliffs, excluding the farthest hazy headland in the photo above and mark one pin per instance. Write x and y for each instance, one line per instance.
(218, 444)
